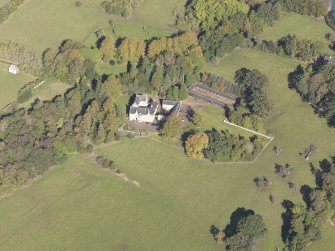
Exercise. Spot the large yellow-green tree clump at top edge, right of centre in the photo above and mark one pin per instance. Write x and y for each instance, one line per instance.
(224, 25)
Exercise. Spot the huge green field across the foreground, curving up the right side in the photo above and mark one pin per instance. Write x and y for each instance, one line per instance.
(76, 206)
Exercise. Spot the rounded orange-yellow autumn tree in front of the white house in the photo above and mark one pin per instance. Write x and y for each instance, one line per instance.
(195, 144)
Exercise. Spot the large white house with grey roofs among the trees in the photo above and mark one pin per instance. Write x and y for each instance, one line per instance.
(143, 109)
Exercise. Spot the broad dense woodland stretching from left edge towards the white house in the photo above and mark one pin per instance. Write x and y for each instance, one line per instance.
(32, 140)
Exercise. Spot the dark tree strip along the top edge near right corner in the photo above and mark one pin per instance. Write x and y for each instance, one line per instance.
(314, 8)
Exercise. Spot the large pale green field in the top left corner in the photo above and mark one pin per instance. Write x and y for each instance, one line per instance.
(41, 24)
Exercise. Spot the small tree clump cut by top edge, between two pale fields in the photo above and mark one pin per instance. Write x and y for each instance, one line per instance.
(123, 8)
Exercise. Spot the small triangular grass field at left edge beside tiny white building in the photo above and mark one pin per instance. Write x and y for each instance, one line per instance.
(10, 84)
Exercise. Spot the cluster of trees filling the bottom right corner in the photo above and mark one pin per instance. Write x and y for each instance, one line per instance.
(303, 223)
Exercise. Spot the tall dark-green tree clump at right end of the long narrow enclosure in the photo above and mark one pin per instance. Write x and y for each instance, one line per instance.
(253, 85)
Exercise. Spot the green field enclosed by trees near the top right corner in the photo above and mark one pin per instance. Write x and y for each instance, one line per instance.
(302, 26)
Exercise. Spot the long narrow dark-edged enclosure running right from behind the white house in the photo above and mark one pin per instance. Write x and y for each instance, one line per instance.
(212, 96)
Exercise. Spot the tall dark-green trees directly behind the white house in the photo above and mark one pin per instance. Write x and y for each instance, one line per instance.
(162, 75)
